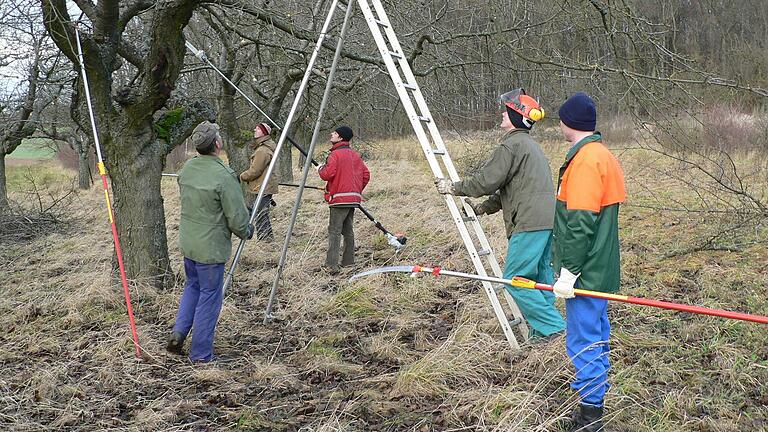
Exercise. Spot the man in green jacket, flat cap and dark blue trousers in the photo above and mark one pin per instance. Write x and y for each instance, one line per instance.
(212, 208)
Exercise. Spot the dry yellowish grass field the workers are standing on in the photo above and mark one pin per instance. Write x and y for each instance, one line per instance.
(383, 353)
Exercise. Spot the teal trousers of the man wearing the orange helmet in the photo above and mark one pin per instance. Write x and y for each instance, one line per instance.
(529, 255)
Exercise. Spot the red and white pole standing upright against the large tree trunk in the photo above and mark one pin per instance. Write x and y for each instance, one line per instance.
(103, 173)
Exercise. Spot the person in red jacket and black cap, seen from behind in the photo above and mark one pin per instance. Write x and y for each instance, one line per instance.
(346, 175)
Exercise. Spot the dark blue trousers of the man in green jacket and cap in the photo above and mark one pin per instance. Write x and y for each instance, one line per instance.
(200, 306)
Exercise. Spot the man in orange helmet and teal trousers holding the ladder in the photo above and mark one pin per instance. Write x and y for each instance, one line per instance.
(518, 180)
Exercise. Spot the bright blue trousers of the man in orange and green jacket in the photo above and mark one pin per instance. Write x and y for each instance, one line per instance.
(586, 341)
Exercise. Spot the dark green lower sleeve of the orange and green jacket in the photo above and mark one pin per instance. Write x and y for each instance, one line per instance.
(577, 238)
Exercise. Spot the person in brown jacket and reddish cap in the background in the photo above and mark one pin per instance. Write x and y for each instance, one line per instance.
(263, 151)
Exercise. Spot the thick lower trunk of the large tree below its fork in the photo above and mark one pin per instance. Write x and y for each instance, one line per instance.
(136, 175)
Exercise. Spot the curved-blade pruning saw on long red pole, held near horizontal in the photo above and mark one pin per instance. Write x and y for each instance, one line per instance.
(519, 282)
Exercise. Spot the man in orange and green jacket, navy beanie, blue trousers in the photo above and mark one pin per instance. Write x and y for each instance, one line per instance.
(586, 251)
